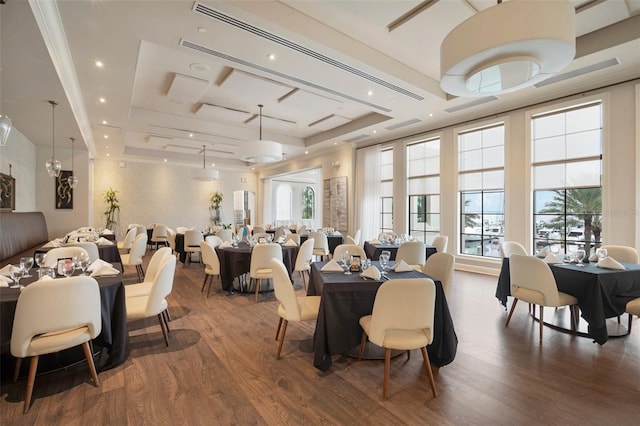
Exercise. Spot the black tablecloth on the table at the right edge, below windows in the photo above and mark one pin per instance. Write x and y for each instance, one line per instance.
(601, 293)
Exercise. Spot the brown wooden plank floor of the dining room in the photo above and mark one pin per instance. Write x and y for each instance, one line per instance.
(221, 369)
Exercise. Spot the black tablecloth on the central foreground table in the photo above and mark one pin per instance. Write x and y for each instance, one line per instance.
(347, 298)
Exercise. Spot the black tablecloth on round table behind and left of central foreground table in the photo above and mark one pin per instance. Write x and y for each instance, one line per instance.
(236, 261)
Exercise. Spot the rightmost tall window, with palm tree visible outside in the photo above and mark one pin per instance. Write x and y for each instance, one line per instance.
(567, 170)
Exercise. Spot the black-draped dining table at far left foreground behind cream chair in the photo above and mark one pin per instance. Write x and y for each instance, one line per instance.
(110, 346)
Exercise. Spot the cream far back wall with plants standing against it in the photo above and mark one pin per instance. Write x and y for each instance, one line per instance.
(163, 193)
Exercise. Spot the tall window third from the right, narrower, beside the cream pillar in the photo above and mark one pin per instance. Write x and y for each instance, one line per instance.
(423, 188)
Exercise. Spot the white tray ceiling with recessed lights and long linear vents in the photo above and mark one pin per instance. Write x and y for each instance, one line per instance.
(181, 74)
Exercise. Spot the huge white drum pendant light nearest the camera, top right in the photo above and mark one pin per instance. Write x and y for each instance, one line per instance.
(536, 39)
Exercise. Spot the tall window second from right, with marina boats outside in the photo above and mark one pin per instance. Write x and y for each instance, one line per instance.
(481, 185)
